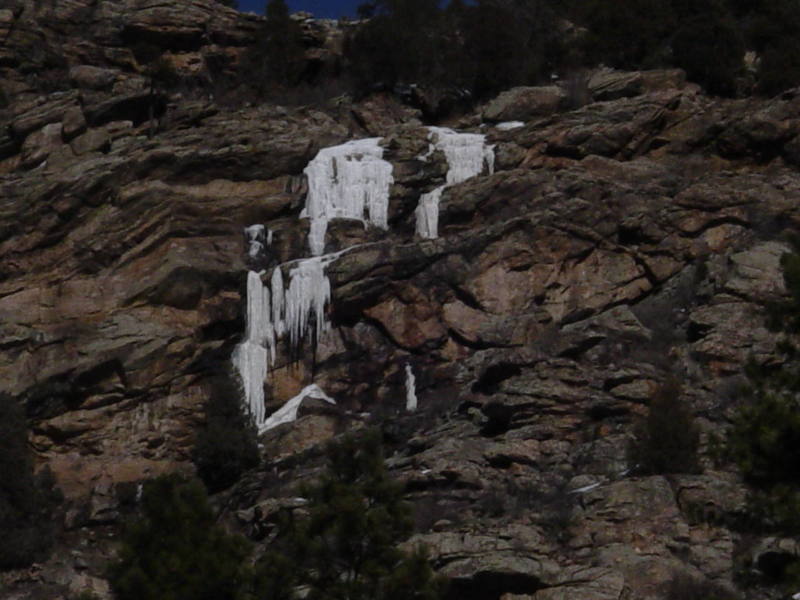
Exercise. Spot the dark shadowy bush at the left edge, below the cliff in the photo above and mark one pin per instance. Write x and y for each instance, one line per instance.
(26, 501)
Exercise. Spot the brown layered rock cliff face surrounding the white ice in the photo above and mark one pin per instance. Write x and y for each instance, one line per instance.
(615, 244)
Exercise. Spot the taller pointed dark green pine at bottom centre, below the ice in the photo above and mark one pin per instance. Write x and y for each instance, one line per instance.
(346, 545)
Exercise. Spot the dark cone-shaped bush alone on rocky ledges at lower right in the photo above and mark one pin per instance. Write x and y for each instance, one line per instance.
(667, 440)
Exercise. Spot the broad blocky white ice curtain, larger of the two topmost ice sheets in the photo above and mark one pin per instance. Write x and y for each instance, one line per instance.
(349, 181)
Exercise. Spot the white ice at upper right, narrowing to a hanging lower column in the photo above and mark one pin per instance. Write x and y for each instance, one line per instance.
(467, 155)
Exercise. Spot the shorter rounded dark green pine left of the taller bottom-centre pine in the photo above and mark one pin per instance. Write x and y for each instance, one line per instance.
(176, 551)
